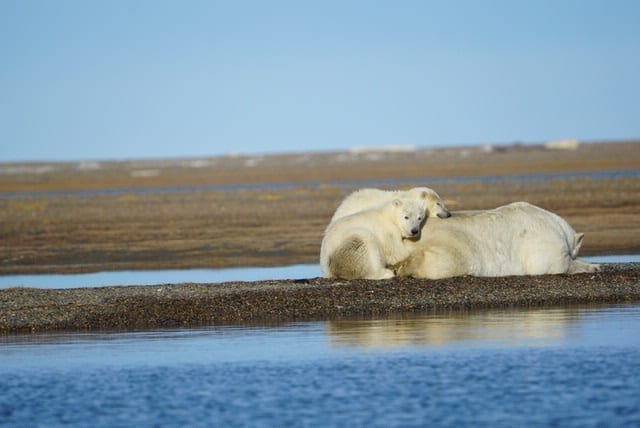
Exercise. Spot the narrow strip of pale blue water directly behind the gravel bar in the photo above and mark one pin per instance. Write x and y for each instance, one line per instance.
(176, 276)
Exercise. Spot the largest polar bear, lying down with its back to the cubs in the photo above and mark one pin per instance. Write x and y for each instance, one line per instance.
(515, 239)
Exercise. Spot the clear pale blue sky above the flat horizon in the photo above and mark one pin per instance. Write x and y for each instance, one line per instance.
(125, 79)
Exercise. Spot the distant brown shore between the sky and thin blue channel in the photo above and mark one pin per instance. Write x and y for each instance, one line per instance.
(319, 167)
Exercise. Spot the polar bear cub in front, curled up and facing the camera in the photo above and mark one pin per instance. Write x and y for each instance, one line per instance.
(366, 244)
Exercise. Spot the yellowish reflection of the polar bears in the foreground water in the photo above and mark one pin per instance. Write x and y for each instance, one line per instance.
(509, 327)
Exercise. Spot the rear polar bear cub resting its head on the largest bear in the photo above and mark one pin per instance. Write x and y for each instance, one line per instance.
(367, 198)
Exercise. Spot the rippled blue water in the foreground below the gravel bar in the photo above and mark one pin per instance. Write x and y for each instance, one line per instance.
(577, 366)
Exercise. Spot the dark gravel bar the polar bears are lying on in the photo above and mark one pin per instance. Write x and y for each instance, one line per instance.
(190, 305)
